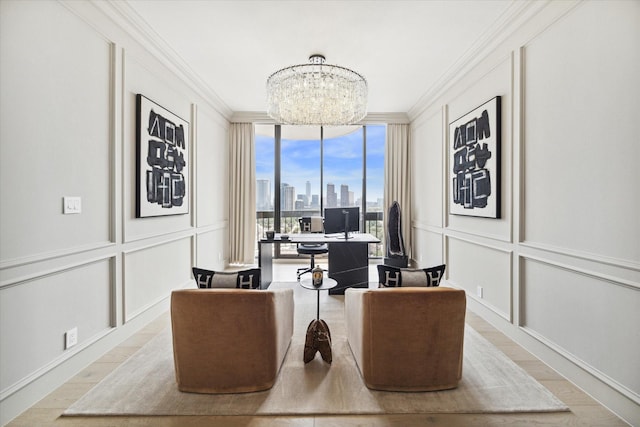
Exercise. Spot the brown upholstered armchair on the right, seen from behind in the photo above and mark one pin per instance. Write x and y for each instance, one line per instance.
(407, 339)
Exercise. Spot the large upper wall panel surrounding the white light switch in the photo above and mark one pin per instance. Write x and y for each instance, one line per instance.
(55, 133)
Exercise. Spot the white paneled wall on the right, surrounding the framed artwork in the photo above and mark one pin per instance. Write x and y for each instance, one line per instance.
(561, 268)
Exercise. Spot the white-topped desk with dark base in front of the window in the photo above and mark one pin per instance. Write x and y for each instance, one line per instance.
(348, 259)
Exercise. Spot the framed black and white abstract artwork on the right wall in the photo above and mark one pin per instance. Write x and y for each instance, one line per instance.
(474, 162)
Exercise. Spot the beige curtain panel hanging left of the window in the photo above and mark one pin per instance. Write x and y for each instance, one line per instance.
(242, 194)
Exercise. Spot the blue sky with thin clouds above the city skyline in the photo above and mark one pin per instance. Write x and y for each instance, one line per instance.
(342, 162)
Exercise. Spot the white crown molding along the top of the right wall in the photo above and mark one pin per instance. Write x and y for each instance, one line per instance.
(516, 15)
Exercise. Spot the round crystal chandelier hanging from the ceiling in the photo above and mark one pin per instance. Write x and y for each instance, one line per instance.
(316, 94)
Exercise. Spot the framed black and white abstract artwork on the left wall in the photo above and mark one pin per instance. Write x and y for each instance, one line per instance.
(162, 169)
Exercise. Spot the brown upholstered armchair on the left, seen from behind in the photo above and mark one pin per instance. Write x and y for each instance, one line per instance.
(230, 340)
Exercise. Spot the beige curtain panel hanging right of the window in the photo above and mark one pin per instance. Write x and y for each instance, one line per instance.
(397, 173)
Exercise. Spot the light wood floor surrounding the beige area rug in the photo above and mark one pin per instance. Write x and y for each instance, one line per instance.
(584, 410)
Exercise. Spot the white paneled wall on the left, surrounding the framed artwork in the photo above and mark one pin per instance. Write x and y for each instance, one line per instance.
(68, 77)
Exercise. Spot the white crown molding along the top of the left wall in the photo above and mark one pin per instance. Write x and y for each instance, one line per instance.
(125, 17)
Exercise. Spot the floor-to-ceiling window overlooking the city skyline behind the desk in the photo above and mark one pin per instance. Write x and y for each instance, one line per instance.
(300, 170)
